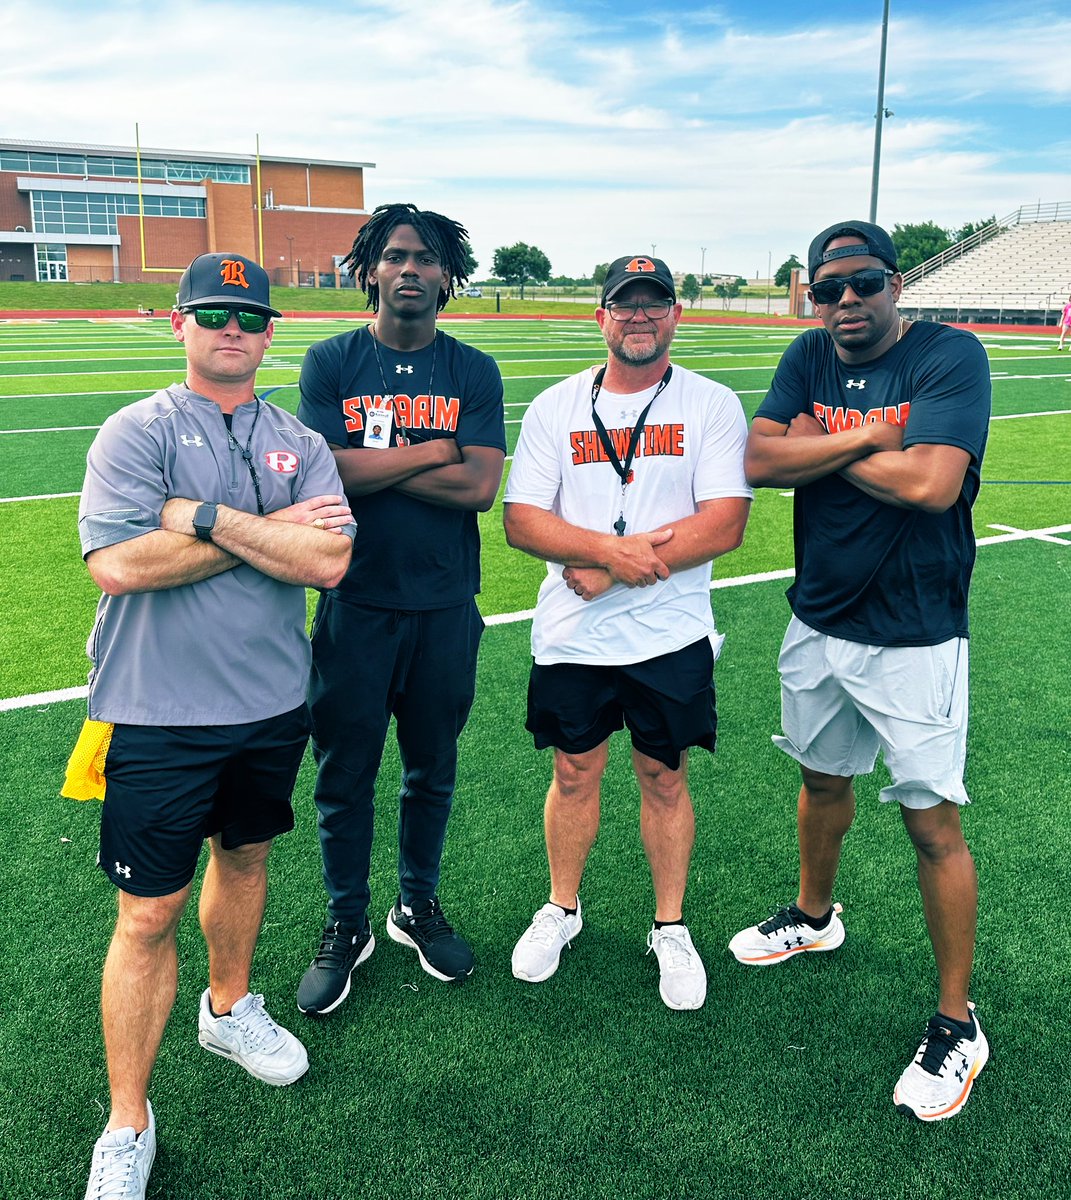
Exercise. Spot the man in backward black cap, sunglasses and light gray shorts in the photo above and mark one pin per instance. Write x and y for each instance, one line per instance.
(879, 424)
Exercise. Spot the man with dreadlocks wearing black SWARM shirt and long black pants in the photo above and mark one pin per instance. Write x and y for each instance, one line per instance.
(416, 423)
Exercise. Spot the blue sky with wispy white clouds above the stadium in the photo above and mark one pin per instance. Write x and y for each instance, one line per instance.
(589, 129)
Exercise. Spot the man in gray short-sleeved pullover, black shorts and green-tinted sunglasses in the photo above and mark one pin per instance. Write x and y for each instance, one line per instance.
(205, 515)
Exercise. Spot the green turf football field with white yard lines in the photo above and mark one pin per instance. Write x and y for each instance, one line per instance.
(585, 1088)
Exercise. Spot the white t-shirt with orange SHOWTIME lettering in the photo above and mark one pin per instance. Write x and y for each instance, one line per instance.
(691, 451)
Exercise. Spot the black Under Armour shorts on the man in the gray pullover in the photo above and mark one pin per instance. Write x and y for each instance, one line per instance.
(171, 787)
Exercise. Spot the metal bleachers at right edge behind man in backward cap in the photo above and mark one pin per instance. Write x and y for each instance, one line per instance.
(1016, 272)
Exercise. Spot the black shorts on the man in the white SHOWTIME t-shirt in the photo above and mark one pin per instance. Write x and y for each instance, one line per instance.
(668, 704)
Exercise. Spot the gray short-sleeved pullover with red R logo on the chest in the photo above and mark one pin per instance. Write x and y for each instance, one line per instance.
(229, 650)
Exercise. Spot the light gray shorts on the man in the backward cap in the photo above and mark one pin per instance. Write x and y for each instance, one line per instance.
(842, 703)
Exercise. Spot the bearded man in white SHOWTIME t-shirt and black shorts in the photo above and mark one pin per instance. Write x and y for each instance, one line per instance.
(630, 481)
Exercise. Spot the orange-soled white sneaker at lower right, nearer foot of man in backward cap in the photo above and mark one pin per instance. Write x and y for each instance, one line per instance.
(938, 1082)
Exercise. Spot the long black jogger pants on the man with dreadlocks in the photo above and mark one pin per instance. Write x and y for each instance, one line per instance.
(368, 665)
